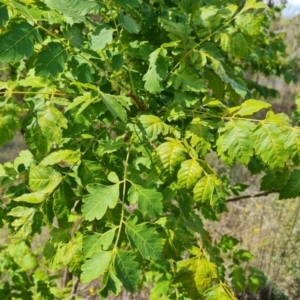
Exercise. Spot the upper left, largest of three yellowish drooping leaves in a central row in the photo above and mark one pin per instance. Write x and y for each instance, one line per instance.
(169, 156)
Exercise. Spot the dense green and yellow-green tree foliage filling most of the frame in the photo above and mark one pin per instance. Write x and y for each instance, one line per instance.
(119, 103)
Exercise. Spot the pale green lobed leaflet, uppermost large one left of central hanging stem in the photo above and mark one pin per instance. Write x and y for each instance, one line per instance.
(100, 198)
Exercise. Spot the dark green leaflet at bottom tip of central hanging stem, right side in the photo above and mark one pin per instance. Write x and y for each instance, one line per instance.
(127, 269)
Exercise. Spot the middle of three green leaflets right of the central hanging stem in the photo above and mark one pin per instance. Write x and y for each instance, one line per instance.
(144, 238)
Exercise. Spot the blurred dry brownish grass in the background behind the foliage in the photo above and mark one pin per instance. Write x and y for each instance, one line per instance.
(265, 226)
